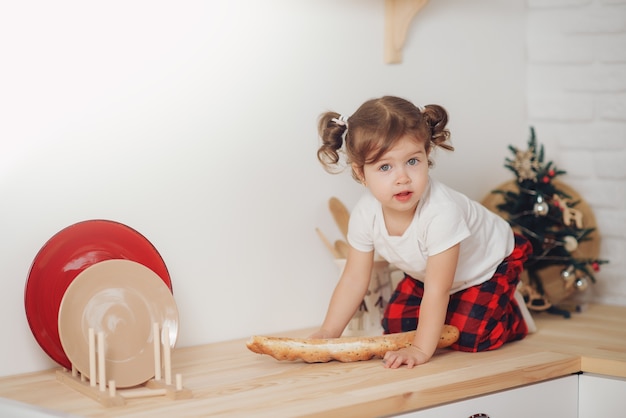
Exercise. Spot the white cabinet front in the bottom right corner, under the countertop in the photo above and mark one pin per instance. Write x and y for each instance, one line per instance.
(601, 396)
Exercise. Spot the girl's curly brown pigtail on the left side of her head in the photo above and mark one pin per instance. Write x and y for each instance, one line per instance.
(331, 129)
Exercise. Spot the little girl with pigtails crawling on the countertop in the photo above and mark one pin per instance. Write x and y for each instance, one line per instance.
(461, 262)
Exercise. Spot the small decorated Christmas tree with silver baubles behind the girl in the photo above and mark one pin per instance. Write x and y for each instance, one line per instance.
(548, 218)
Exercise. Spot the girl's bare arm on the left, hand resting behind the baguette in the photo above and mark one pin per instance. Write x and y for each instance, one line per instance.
(348, 294)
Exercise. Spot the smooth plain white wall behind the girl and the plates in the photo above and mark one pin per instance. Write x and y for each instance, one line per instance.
(194, 123)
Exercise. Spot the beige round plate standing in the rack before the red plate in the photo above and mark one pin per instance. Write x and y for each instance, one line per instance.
(122, 299)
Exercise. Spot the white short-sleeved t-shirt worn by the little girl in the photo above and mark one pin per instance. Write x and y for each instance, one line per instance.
(443, 218)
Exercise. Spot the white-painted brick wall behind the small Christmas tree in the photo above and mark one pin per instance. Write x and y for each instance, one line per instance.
(577, 104)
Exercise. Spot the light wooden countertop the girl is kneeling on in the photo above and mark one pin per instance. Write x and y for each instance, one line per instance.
(228, 380)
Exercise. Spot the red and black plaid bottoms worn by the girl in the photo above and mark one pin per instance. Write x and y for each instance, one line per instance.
(487, 315)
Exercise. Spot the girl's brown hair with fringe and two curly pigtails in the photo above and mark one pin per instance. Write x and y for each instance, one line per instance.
(375, 128)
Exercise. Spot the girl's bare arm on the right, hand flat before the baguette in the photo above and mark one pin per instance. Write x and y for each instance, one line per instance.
(440, 270)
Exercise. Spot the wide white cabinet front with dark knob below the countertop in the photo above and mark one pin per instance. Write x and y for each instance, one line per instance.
(550, 399)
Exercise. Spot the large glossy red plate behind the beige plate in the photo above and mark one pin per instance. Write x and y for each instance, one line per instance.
(63, 257)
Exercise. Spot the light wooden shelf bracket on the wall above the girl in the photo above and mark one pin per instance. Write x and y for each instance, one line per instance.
(398, 17)
